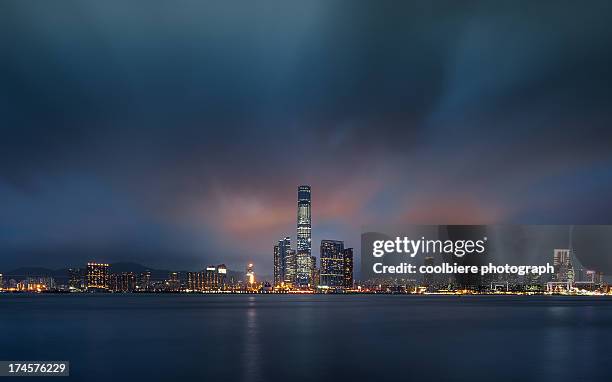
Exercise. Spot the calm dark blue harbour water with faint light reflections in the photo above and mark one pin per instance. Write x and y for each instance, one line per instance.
(311, 338)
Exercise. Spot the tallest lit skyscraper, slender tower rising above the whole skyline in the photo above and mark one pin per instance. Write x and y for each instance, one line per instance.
(304, 237)
